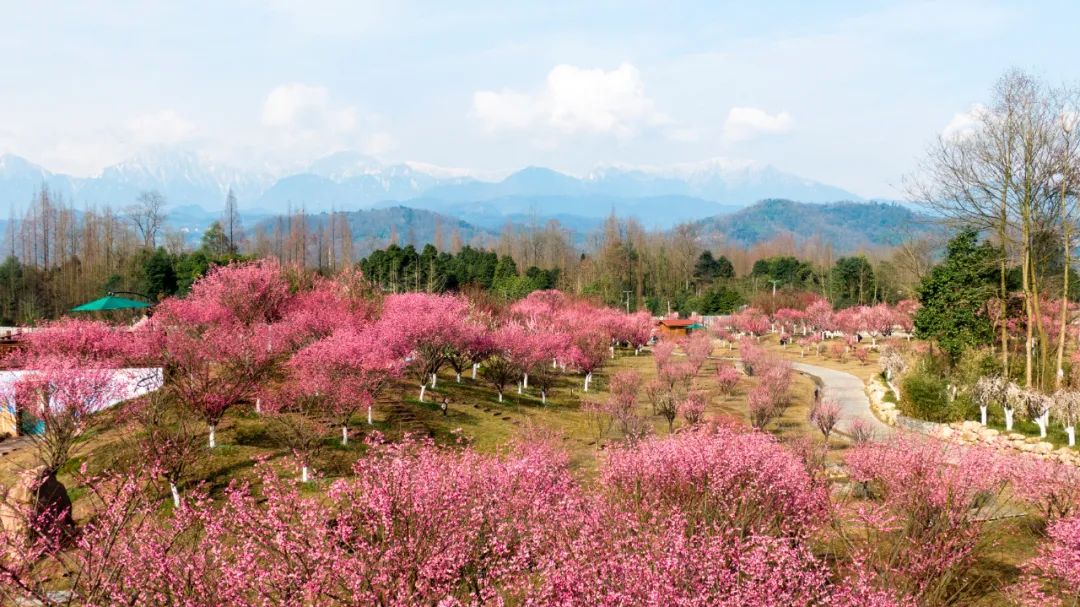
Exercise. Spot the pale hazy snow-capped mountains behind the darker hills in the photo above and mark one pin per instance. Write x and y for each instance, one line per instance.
(348, 181)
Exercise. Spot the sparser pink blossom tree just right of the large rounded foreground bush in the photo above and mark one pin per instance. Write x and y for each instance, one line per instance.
(921, 532)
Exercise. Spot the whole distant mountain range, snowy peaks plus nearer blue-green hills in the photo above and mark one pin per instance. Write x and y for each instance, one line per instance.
(413, 198)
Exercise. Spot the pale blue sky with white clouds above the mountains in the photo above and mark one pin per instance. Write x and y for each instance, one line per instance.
(846, 93)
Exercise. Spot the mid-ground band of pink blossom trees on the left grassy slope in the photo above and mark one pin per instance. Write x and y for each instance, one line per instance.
(317, 350)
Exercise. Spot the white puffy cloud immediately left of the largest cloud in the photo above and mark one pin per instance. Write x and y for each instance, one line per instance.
(306, 107)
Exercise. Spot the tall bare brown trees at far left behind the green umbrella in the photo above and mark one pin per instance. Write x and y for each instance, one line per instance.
(58, 257)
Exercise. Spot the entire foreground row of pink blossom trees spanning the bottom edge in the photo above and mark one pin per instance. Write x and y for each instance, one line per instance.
(720, 516)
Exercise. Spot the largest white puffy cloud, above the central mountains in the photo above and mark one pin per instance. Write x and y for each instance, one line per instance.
(575, 101)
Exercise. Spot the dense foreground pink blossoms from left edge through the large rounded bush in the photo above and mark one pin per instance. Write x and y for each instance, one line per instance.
(709, 518)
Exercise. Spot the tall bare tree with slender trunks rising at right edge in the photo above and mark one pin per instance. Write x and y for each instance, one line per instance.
(1003, 174)
